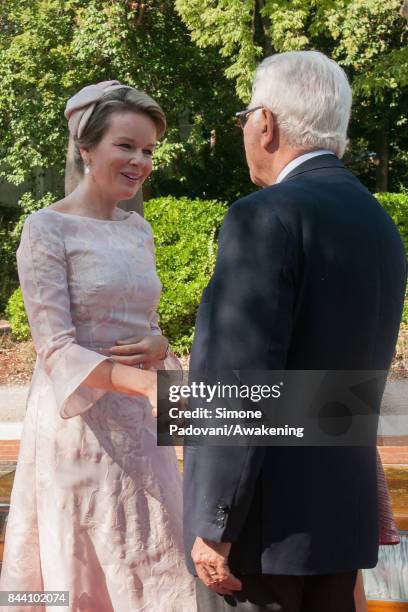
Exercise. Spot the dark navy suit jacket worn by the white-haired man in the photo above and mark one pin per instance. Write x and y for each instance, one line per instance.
(310, 274)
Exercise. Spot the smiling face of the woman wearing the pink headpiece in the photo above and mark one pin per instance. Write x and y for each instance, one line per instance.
(121, 162)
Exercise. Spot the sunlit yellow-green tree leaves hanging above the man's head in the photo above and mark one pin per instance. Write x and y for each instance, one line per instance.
(369, 36)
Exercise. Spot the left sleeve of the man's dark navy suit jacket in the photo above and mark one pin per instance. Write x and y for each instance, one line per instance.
(248, 319)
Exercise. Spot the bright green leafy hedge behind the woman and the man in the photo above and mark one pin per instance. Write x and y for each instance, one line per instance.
(186, 241)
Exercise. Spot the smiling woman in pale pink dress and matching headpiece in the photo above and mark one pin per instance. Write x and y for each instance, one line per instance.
(96, 505)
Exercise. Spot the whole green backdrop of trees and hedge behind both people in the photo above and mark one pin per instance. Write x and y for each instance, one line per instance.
(196, 58)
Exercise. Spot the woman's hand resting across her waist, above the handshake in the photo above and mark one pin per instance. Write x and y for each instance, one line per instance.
(136, 351)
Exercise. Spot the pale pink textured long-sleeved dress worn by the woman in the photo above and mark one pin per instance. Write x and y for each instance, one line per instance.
(96, 507)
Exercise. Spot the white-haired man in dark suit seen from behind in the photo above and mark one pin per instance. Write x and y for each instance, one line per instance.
(310, 275)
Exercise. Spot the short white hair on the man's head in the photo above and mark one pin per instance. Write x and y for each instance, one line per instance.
(310, 97)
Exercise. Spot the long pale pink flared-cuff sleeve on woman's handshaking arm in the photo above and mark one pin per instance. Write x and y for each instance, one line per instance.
(42, 269)
